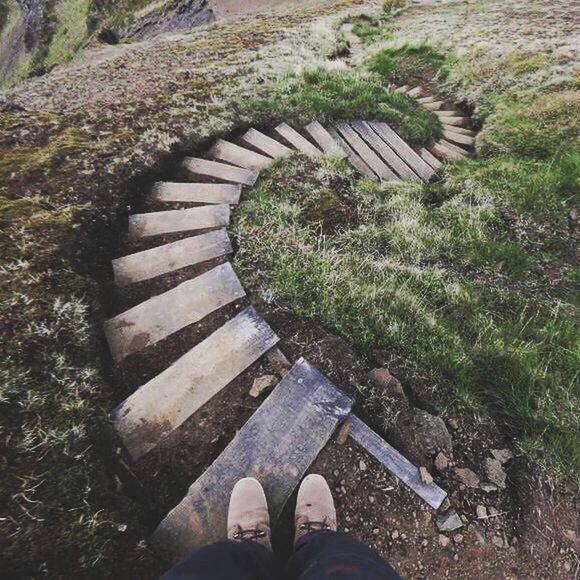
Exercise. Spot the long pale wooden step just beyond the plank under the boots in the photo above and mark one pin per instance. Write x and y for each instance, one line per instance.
(165, 402)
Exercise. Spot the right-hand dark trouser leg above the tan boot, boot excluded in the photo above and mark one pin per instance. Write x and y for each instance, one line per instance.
(336, 556)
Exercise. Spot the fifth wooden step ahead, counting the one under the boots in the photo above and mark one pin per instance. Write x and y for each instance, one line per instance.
(144, 225)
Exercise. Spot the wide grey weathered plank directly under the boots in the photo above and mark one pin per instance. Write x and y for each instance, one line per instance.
(276, 446)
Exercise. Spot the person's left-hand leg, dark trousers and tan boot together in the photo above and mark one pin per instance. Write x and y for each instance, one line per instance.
(247, 555)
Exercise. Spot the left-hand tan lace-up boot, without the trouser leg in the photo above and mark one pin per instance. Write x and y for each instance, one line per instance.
(248, 518)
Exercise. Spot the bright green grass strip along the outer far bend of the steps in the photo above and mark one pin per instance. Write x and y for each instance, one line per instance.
(329, 96)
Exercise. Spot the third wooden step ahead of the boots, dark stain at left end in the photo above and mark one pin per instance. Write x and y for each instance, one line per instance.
(161, 316)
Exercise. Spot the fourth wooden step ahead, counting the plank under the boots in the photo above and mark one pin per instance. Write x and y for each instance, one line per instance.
(170, 257)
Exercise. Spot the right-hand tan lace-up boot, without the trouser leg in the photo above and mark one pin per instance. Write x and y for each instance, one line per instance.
(314, 507)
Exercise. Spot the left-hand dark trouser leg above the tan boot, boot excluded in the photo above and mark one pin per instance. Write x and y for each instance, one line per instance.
(225, 561)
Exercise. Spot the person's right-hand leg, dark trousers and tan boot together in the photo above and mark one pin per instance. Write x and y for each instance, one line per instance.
(323, 553)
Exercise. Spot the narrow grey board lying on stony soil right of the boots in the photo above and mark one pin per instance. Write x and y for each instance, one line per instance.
(395, 462)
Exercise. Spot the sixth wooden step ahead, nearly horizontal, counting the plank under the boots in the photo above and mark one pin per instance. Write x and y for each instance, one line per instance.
(196, 192)
